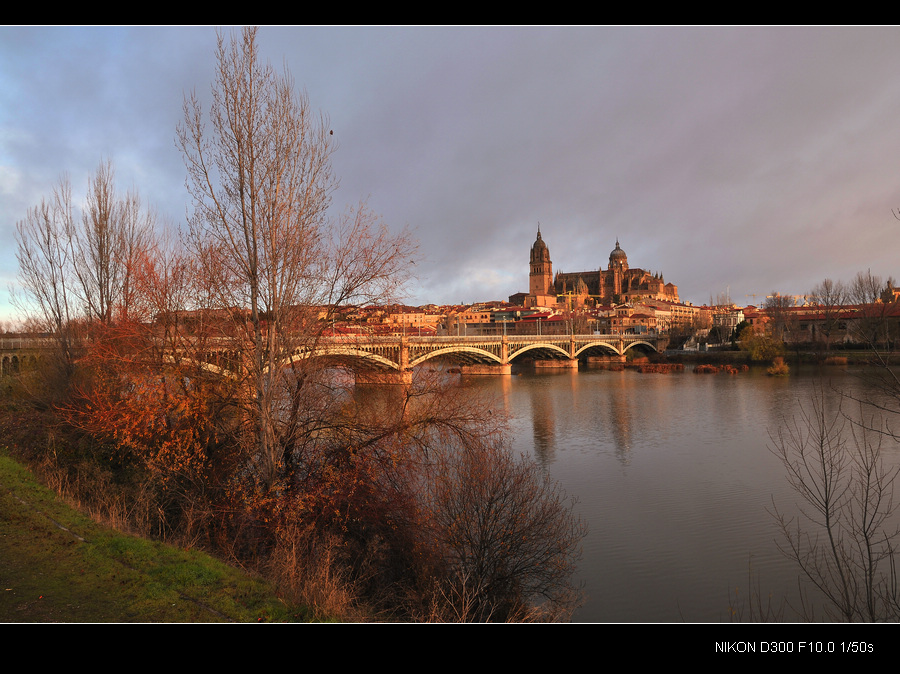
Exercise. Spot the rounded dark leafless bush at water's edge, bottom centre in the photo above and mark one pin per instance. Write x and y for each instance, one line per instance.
(507, 534)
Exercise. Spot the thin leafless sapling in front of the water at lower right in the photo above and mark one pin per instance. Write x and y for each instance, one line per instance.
(843, 538)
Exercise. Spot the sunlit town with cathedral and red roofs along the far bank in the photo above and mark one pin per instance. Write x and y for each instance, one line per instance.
(623, 300)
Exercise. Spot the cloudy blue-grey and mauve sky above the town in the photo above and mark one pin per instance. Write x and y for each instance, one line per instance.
(733, 160)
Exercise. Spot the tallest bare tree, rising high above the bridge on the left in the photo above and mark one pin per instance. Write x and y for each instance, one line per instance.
(261, 179)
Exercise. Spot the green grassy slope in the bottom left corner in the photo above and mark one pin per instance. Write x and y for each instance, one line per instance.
(58, 565)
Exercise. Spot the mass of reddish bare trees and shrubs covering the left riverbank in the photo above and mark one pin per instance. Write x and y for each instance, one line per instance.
(405, 505)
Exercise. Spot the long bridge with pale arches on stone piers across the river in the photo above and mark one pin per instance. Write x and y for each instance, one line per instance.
(393, 358)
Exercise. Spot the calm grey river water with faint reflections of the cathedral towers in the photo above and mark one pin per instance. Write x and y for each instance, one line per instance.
(673, 476)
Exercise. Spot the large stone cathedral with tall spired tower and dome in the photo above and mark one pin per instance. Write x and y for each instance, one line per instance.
(616, 285)
